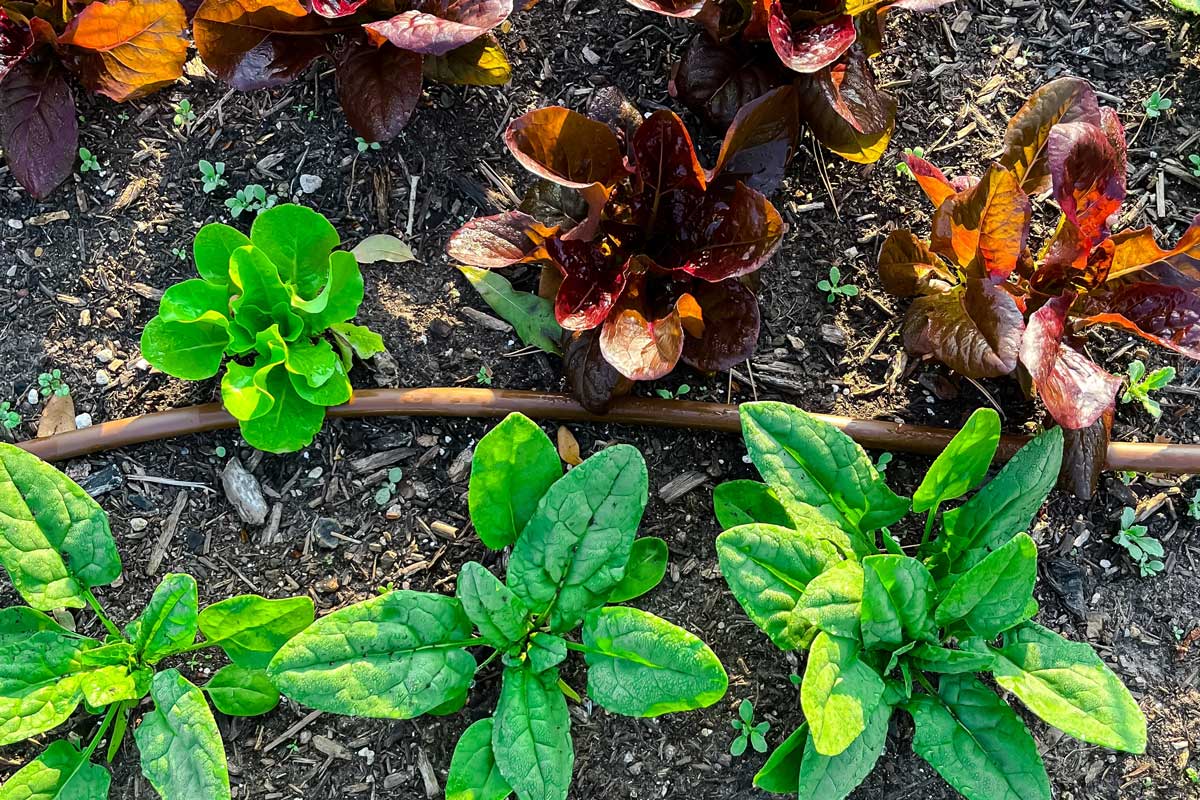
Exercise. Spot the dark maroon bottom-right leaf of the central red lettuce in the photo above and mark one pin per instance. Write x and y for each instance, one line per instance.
(731, 321)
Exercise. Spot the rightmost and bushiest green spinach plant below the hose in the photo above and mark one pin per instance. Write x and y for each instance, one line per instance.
(886, 631)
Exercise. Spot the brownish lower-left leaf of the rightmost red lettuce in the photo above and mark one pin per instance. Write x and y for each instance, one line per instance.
(975, 329)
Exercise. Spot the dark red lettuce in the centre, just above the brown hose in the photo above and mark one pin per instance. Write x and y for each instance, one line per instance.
(650, 256)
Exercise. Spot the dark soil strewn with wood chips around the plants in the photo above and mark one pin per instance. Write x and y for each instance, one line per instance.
(85, 285)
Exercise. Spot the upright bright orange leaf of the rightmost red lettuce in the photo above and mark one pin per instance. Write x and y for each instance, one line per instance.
(985, 230)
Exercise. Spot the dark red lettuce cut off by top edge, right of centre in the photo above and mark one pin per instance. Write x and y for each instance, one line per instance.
(821, 46)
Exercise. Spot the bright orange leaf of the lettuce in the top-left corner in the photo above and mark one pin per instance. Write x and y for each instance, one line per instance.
(129, 49)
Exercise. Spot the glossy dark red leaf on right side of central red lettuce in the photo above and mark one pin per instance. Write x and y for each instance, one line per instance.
(733, 233)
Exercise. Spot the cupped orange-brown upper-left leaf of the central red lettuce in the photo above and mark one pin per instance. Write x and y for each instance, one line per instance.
(565, 147)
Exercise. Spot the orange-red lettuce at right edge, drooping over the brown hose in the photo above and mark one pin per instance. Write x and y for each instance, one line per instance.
(987, 305)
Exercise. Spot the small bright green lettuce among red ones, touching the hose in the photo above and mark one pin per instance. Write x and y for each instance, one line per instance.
(278, 305)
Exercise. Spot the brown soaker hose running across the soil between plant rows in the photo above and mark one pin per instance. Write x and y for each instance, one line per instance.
(1172, 459)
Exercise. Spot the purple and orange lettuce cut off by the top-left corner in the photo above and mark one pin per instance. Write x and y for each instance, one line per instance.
(118, 49)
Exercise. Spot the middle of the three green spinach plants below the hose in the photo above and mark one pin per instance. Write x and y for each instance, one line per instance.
(406, 654)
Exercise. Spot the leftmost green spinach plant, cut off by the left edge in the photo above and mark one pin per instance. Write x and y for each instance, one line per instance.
(57, 546)
